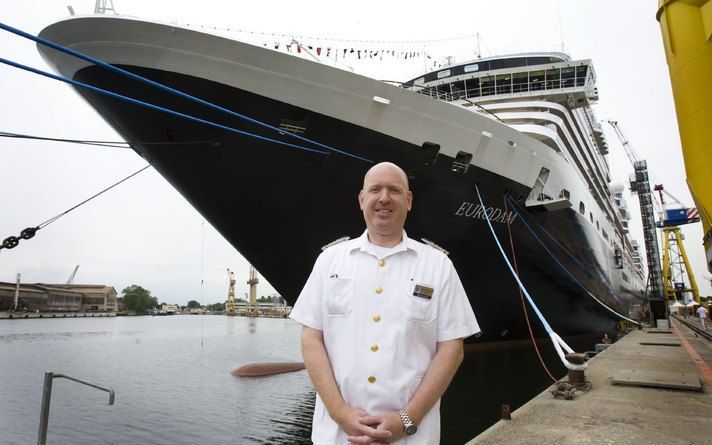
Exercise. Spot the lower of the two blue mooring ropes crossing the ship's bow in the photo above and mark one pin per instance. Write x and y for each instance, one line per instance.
(152, 106)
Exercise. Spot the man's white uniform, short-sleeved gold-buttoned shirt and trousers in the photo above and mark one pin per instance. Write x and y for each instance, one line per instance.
(380, 335)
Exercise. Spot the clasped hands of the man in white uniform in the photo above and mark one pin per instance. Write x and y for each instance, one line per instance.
(364, 429)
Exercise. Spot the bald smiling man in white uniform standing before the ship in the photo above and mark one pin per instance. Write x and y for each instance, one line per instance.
(383, 319)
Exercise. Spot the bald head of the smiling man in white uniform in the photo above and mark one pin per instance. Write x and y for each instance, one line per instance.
(385, 199)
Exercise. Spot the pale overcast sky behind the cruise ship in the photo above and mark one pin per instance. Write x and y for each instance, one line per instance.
(144, 232)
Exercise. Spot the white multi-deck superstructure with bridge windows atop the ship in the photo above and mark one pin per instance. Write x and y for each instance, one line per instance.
(549, 97)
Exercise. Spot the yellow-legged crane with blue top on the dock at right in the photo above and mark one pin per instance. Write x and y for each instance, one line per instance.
(675, 262)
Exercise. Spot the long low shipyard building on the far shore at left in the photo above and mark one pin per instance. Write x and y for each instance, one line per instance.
(57, 297)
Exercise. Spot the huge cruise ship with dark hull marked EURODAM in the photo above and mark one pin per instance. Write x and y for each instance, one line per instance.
(519, 128)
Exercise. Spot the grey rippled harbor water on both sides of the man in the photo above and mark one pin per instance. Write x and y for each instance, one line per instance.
(173, 383)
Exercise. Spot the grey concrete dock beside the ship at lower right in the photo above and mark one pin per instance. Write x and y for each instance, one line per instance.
(617, 410)
